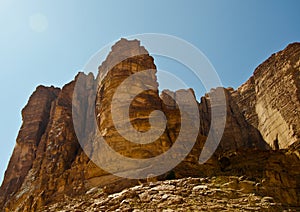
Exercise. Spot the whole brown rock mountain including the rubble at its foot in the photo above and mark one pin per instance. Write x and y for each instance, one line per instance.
(50, 163)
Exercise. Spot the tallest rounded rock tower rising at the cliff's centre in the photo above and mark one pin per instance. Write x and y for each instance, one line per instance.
(126, 59)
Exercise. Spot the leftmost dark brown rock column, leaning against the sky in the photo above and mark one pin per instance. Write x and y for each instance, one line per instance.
(35, 120)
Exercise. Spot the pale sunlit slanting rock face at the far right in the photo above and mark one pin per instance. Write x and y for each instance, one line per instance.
(269, 100)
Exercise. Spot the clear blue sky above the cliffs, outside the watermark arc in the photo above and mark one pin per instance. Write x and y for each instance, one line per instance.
(47, 42)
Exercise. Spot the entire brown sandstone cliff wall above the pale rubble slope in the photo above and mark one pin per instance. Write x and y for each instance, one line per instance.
(48, 162)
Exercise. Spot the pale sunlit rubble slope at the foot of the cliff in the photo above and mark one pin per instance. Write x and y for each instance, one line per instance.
(189, 194)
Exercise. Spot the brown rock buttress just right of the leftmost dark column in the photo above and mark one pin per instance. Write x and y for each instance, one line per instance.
(54, 154)
